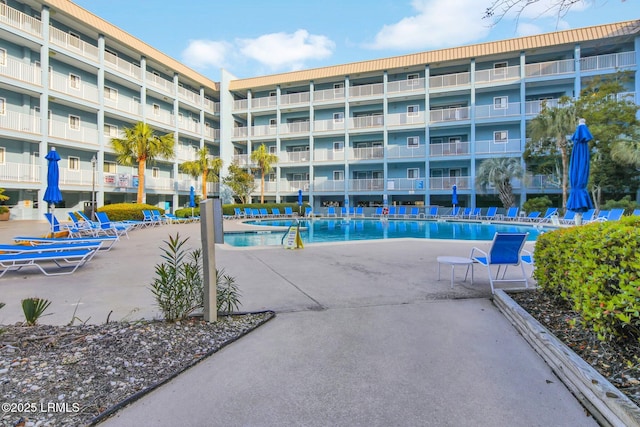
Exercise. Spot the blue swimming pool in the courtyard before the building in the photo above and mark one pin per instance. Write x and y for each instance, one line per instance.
(342, 230)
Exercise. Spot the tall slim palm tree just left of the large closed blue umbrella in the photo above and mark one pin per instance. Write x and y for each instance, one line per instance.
(548, 140)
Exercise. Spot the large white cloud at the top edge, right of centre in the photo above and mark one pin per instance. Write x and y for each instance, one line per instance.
(438, 23)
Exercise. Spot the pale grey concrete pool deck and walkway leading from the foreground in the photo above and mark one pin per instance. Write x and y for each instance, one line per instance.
(365, 335)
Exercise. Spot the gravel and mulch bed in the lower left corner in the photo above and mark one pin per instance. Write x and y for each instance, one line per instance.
(76, 375)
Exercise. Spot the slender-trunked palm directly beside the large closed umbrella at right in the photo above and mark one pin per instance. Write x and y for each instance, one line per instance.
(548, 132)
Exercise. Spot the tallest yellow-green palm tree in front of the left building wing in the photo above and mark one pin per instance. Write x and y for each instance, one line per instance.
(141, 146)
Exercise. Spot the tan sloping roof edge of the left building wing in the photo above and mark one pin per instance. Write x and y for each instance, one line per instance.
(112, 32)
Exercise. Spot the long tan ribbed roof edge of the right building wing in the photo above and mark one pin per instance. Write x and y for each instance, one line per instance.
(451, 54)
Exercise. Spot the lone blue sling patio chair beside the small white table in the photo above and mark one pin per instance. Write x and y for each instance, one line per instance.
(505, 251)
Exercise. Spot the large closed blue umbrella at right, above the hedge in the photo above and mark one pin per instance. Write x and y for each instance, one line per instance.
(579, 200)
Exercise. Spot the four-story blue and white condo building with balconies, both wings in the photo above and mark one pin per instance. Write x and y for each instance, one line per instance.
(398, 130)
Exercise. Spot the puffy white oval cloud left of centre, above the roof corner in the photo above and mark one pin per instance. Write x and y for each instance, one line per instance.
(289, 51)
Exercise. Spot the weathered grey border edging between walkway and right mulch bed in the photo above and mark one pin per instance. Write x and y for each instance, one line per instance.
(605, 402)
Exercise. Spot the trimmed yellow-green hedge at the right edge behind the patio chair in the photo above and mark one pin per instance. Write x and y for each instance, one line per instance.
(596, 268)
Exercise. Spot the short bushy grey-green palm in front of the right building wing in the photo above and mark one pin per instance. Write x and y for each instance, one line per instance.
(498, 172)
